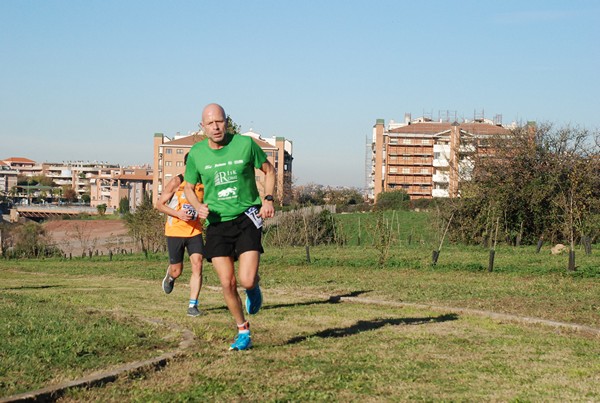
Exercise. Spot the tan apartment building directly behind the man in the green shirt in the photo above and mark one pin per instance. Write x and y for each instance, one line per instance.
(169, 161)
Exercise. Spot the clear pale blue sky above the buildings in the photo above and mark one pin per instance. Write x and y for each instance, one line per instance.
(94, 80)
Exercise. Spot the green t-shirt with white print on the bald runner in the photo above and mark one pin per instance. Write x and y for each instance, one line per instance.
(227, 175)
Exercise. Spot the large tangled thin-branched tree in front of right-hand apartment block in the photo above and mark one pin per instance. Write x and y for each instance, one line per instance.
(539, 181)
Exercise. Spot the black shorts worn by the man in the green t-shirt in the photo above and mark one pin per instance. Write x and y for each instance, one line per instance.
(232, 238)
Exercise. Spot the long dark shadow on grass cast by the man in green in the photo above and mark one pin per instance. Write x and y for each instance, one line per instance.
(366, 325)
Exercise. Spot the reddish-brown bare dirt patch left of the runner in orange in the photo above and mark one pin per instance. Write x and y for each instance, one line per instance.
(82, 236)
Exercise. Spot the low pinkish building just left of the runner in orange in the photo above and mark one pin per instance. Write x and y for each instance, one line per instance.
(111, 185)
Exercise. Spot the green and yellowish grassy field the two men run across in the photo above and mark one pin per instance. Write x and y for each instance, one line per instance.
(64, 319)
